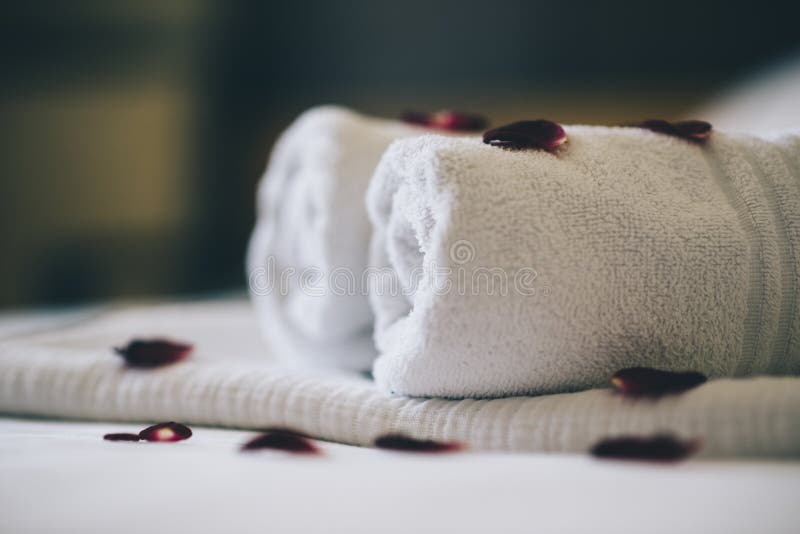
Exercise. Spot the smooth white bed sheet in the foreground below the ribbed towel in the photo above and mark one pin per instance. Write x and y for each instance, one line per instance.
(61, 477)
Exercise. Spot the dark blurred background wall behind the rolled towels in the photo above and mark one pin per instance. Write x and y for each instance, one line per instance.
(134, 132)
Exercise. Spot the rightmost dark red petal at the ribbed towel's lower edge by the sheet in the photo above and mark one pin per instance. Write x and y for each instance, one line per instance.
(662, 448)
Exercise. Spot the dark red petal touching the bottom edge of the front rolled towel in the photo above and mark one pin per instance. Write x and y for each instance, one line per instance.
(646, 382)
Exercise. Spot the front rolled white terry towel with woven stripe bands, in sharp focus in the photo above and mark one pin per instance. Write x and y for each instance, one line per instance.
(510, 272)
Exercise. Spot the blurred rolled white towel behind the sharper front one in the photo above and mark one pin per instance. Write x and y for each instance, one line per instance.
(308, 251)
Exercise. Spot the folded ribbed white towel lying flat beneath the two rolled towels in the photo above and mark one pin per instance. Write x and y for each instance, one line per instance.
(70, 371)
